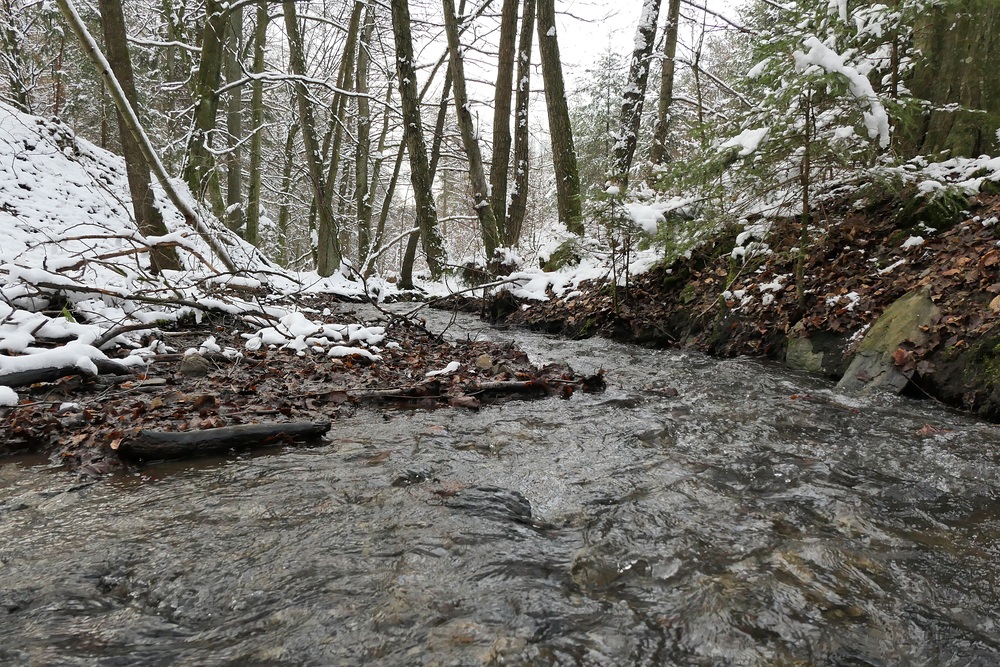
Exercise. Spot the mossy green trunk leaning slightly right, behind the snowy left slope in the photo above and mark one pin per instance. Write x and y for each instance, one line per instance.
(200, 162)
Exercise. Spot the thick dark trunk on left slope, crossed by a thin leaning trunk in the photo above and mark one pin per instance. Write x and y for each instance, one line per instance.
(147, 217)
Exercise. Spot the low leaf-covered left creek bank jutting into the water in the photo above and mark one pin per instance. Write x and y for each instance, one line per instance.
(189, 405)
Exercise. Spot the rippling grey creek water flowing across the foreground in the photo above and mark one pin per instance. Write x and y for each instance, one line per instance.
(756, 518)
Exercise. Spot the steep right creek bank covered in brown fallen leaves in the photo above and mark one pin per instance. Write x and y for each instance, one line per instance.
(818, 302)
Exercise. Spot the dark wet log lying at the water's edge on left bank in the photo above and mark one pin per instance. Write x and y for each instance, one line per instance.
(165, 445)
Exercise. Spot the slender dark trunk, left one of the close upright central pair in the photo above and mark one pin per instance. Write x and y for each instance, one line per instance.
(501, 116)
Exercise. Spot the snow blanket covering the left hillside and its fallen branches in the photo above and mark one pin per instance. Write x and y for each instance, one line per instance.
(68, 234)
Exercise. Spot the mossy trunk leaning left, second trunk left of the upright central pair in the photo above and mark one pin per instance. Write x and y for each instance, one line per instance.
(420, 175)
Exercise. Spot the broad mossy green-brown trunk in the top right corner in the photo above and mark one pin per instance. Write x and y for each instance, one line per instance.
(959, 43)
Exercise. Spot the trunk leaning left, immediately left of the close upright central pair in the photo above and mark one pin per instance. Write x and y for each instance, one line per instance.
(467, 127)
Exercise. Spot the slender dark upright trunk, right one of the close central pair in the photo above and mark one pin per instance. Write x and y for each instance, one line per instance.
(519, 193)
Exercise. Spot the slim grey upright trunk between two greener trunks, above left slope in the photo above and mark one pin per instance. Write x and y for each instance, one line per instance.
(235, 213)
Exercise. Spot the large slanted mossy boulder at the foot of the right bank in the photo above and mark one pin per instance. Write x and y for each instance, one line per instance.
(873, 367)
